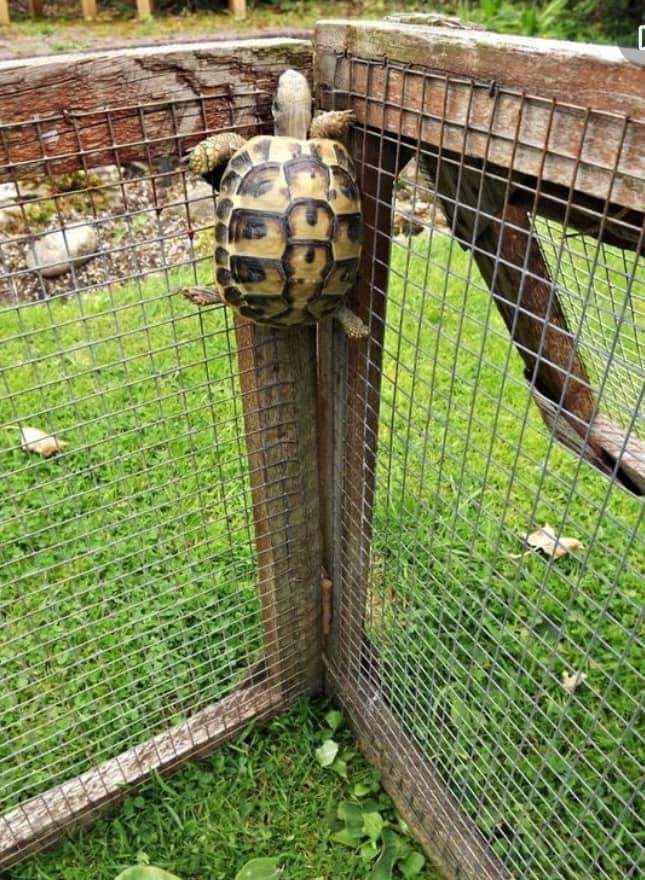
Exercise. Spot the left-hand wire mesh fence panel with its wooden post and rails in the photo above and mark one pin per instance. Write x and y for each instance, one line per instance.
(140, 623)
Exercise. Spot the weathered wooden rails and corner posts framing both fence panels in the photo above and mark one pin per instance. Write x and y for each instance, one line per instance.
(348, 376)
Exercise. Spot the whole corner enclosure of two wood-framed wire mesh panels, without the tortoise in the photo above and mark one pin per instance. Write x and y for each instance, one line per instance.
(476, 465)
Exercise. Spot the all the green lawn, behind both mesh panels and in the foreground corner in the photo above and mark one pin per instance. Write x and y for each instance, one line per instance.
(128, 585)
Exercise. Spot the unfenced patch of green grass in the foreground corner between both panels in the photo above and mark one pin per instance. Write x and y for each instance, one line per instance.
(262, 795)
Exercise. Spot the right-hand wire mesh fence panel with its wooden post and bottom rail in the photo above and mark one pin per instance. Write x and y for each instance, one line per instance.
(488, 579)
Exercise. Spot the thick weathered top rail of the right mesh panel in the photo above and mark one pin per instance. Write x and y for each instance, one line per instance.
(453, 79)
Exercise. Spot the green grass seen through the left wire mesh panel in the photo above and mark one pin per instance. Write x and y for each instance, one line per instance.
(128, 565)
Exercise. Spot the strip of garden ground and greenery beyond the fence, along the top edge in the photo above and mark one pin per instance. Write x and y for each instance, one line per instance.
(605, 21)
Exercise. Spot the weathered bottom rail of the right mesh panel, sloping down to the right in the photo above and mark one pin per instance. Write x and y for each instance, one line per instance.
(451, 839)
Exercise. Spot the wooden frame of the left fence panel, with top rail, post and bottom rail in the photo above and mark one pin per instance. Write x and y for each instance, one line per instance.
(277, 379)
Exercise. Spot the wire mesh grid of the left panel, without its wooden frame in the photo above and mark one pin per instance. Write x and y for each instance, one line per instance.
(128, 564)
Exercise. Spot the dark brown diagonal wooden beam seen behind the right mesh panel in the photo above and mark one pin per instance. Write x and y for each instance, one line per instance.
(501, 237)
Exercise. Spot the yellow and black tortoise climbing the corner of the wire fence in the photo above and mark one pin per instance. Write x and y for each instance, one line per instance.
(288, 216)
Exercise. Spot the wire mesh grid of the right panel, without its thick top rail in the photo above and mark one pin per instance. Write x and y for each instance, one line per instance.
(472, 635)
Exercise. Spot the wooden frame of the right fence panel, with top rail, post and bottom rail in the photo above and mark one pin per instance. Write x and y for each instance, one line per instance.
(478, 63)
